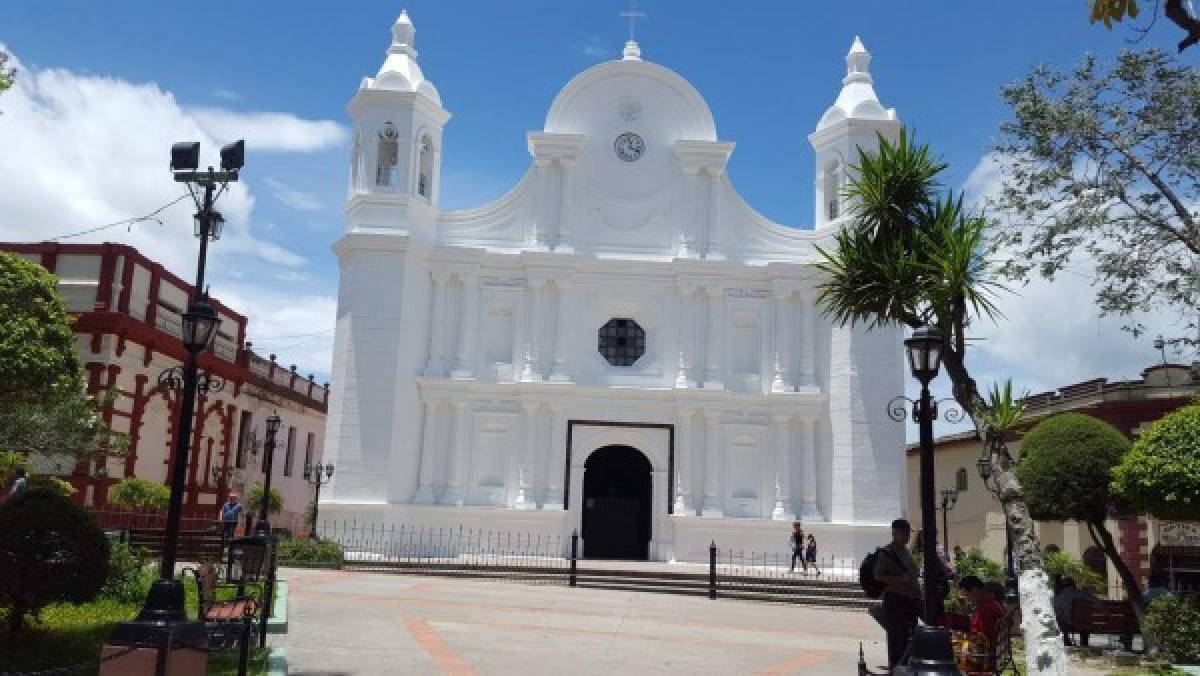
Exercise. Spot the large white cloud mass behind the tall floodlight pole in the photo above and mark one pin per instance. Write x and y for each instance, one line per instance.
(82, 151)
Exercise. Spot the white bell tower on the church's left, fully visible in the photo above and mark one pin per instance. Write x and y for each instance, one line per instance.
(395, 166)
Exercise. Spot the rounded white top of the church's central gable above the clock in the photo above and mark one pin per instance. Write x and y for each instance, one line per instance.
(632, 92)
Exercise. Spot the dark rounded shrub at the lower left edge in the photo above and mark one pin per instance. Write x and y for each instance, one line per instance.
(51, 551)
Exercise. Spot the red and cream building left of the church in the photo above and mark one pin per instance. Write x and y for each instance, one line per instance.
(128, 314)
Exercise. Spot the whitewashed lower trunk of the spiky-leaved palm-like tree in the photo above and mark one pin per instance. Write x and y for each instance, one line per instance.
(1043, 639)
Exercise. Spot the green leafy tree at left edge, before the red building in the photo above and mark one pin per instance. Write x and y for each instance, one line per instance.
(44, 405)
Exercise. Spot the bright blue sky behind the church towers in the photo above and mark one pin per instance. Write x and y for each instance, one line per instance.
(769, 70)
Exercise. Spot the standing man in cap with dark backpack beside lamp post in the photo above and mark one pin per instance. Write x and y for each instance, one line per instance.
(896, 569)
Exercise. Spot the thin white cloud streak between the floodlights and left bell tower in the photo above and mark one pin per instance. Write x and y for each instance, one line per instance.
(281, 133)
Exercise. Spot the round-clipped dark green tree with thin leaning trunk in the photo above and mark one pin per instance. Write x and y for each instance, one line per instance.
(1066, 468)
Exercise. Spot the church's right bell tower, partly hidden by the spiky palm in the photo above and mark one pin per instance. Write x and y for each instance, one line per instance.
(851, 123)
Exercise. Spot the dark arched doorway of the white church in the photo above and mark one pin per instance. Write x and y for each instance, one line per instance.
(617, 504)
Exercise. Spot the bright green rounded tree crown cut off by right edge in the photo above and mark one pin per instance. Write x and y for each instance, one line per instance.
(1161, 475)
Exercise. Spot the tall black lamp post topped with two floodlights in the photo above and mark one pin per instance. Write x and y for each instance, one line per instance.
(163, 621)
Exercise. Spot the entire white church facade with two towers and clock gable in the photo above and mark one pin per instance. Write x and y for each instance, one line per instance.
(620, 345)
